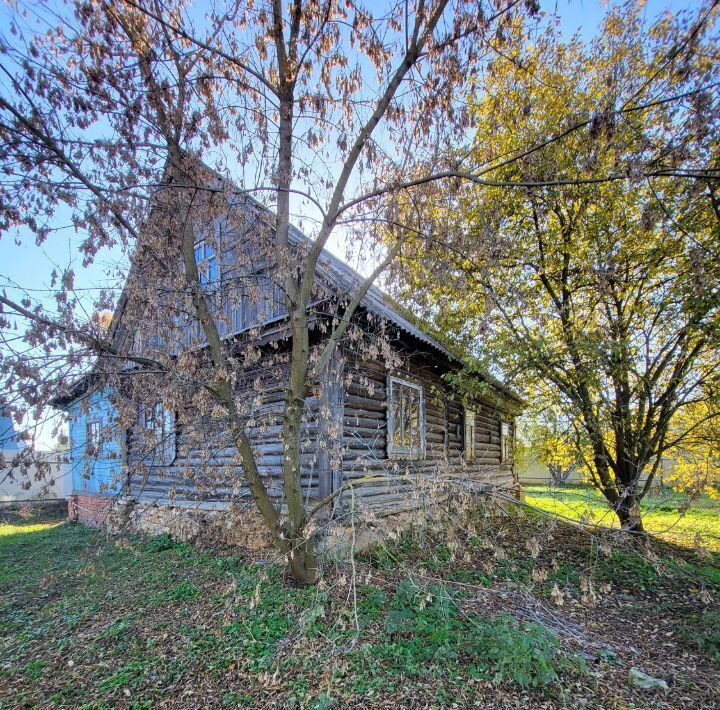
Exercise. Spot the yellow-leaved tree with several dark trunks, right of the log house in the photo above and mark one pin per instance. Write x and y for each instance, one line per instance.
(595, 278)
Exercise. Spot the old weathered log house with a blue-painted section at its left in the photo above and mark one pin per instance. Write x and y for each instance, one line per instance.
(383, 415)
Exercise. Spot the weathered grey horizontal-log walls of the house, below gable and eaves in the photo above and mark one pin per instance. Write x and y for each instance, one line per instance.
(344, 439)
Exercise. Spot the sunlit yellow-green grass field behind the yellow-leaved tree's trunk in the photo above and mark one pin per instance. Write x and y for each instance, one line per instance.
(671, 516)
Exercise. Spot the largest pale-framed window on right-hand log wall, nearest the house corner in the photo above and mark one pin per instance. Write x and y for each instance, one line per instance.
(406, 419)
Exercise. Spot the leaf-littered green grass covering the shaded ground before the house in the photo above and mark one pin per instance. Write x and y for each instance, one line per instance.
(90, 620)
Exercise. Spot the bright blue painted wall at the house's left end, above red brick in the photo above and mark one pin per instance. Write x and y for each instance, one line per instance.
(101, 472)
